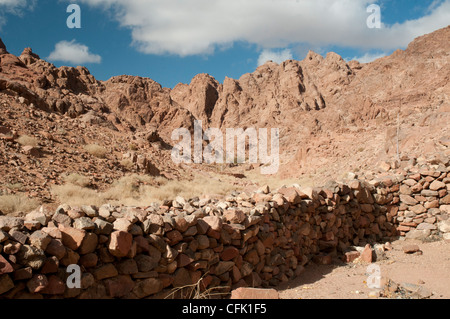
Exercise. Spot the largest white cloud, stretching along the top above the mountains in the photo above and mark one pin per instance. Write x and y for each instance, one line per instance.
(190, 27)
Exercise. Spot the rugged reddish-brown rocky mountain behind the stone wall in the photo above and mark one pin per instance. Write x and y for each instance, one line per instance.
(334, 116)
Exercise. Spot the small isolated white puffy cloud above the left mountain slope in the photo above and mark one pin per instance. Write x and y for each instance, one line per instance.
(74, 53)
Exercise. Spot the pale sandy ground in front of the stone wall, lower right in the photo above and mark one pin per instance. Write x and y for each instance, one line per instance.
(349, 281)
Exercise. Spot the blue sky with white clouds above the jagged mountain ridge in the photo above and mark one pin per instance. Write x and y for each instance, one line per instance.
(172, 41)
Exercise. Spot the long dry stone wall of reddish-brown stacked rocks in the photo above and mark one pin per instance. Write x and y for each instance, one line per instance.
(256, 240)
